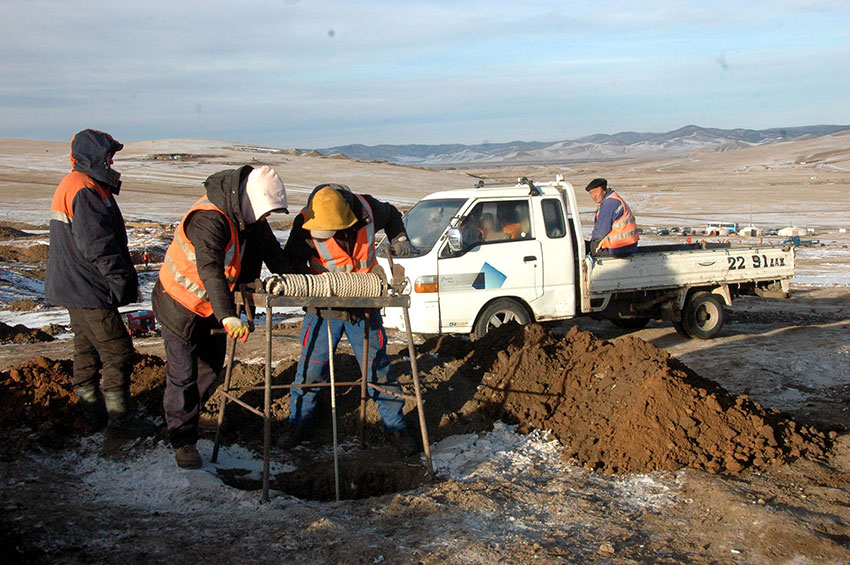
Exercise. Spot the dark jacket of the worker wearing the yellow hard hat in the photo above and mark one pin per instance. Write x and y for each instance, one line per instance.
(386, 217)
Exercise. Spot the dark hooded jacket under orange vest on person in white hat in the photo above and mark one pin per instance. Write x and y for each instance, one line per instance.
(209, 232)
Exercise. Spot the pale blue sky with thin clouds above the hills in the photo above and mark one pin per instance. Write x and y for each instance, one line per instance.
(291, 73)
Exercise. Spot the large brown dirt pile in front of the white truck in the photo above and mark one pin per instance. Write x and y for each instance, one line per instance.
(630, 407)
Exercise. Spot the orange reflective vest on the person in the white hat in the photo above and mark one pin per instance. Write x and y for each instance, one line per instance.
(179, 272)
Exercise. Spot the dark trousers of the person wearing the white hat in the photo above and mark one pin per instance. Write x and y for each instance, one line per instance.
(191, 368)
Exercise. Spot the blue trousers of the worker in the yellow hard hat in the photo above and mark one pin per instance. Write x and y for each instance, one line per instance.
(313, 367)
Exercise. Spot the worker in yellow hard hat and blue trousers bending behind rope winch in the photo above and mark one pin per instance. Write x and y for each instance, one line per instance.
(336, 233)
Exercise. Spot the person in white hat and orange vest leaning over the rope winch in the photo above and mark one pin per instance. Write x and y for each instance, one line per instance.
(221, 242)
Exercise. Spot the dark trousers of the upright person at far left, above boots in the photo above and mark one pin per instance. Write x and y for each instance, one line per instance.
(101, 342)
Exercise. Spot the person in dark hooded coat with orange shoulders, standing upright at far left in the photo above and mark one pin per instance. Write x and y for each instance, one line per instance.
(90, 272)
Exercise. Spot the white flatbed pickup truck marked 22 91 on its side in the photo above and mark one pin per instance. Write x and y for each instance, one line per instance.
(486, 256)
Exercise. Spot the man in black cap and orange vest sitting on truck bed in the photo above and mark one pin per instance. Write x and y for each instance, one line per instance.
(615, 230)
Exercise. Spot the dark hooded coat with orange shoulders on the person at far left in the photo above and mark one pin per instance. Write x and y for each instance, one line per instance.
(89, 265)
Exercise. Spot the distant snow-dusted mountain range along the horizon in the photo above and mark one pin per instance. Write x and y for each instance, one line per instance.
(597, 147)
